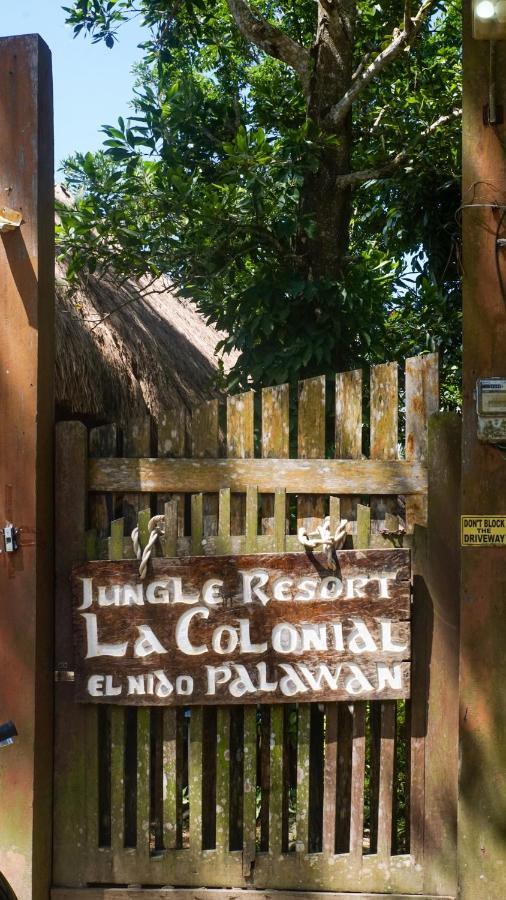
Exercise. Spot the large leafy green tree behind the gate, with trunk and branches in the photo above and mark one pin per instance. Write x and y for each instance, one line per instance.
(317, 235)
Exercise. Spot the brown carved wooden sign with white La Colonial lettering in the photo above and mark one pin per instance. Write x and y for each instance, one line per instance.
(244, 629)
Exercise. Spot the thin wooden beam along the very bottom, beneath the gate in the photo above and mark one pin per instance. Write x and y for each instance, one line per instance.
(133, 893)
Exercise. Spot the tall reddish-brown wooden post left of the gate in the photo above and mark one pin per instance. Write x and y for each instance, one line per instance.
(26, 499)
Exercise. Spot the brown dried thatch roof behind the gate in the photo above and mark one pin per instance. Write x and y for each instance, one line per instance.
(123, 351)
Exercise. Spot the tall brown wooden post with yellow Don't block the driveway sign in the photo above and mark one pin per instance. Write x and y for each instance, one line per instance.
(482, 800)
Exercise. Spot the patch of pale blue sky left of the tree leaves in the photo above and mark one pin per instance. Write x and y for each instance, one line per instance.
(92, 85)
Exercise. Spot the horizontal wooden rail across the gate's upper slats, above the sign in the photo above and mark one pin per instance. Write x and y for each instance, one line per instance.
(296, 476)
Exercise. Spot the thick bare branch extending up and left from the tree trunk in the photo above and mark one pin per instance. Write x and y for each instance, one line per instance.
(271, 40)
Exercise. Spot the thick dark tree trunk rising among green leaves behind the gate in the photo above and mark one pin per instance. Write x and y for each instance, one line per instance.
(327, 207)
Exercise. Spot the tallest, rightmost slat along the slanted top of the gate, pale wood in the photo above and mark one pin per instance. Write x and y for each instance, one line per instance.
(422, 399)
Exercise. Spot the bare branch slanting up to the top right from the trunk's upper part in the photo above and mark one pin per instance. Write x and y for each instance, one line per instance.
(402, 39)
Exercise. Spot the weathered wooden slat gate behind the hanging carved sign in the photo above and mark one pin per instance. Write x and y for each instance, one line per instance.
(342, 797)
